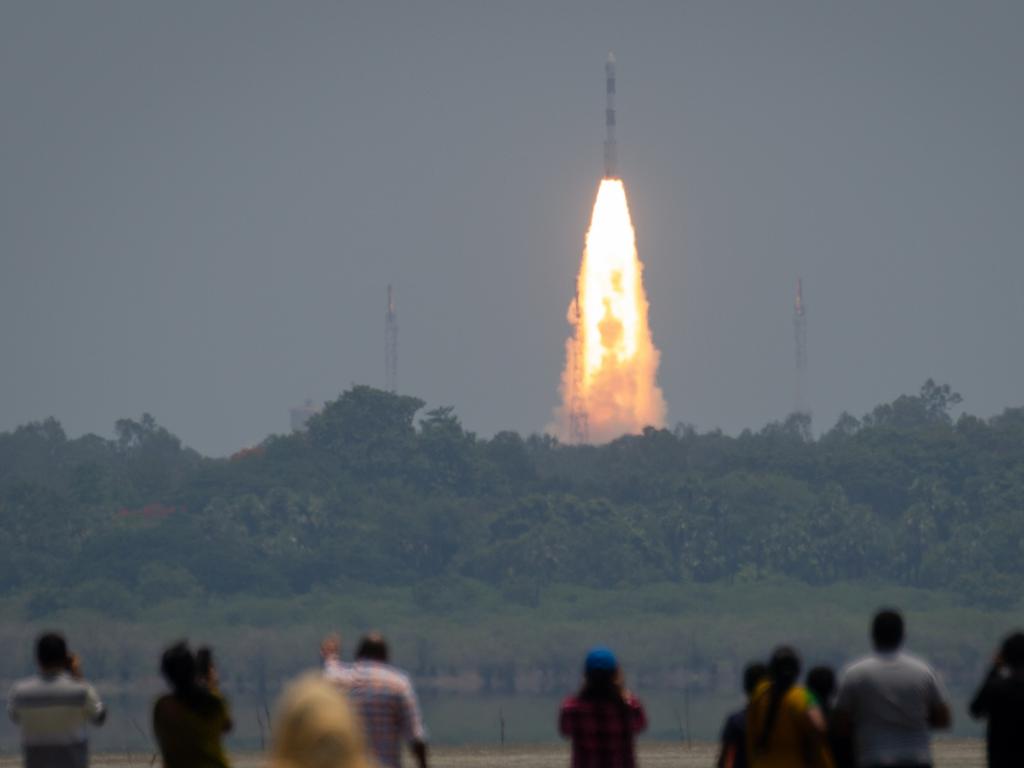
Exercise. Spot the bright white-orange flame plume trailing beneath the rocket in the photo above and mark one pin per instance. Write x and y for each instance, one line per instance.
(610, 386)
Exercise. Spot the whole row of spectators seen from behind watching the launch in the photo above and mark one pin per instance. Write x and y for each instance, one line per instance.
(879, 712)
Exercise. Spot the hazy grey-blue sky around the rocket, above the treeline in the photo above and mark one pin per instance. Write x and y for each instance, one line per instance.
(202, 204)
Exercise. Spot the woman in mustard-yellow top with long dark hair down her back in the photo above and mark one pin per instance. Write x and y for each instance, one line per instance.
(785, 724)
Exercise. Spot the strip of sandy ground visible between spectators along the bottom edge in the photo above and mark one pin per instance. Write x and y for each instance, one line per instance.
(952, 754)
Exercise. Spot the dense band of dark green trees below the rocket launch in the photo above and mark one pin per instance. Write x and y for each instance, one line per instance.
(906, 495)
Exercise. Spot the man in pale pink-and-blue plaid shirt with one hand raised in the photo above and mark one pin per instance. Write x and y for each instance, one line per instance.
(385, 698)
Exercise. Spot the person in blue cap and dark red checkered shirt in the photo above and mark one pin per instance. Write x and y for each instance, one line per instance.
(604, 719)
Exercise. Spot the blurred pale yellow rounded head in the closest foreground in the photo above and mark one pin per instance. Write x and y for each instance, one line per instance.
(317, 728)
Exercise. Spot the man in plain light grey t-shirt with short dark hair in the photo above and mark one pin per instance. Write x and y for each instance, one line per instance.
(891, 702)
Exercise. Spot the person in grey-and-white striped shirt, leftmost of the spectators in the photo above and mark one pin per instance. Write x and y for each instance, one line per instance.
(55, 709)
